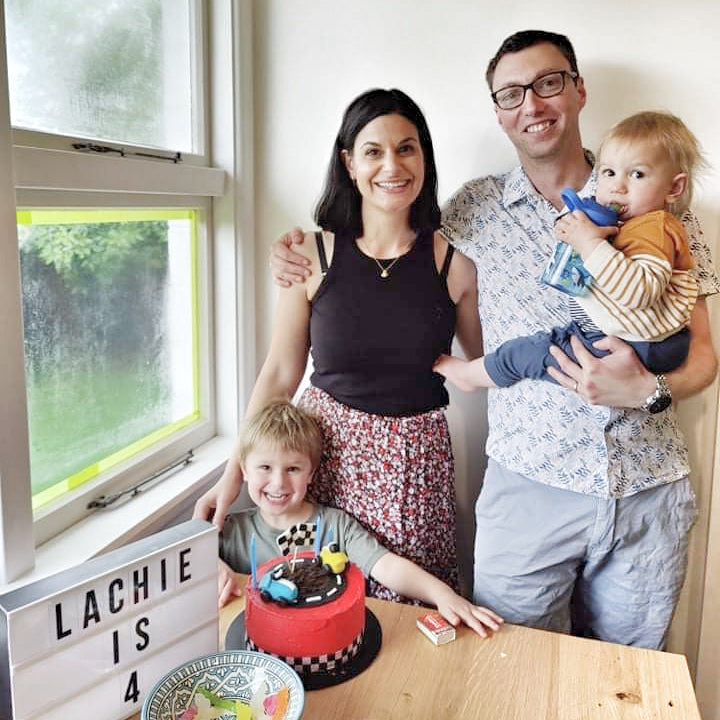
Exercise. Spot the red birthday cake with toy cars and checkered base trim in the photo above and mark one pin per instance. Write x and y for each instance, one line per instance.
(312, 616)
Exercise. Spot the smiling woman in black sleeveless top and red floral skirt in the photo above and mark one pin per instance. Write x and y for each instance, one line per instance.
(385, 296)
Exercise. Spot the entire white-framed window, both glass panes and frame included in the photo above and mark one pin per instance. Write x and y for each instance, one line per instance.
(128, 250)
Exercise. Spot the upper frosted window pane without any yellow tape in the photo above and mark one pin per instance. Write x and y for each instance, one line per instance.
(119, 71)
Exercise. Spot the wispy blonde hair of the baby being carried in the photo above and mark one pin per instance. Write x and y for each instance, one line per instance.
(672, 136)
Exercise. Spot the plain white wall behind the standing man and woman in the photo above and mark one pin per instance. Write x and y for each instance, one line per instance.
(313, 56)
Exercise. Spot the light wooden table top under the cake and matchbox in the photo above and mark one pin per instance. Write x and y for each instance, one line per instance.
(518, 674)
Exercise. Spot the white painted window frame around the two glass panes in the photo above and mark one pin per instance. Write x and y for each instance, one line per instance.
(46, 175)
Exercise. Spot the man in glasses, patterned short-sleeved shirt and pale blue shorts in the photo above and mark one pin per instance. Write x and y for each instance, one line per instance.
(583, 518)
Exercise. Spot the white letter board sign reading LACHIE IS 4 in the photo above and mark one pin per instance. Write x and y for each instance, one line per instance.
(91, 641)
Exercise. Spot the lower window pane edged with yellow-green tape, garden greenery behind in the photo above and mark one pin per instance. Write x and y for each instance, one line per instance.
(111, 338)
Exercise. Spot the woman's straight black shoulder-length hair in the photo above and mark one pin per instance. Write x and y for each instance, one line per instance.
(339, 207)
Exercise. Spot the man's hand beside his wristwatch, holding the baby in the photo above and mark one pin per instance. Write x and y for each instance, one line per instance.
(619, 379)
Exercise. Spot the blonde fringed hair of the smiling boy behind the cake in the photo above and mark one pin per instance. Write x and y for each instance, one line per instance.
(285, 426)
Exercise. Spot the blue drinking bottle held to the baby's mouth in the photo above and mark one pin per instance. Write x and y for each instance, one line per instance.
(566, 271)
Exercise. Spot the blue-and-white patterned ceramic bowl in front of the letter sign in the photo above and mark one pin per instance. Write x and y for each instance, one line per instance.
(233, 674)
